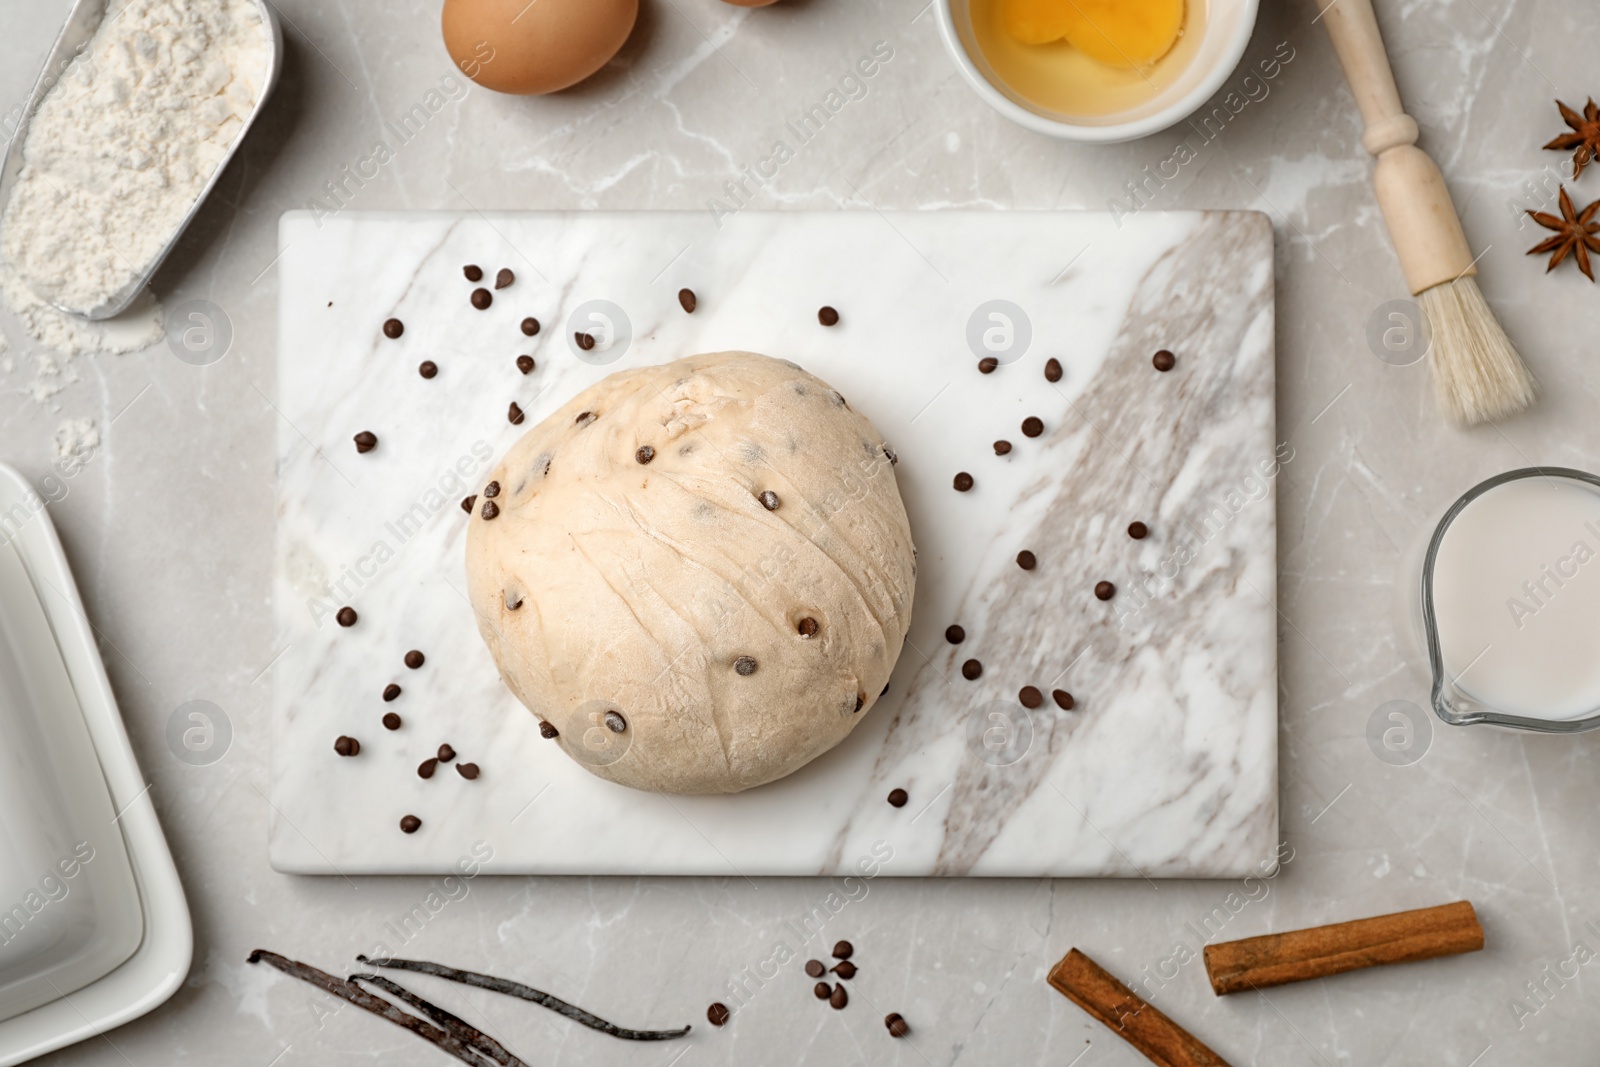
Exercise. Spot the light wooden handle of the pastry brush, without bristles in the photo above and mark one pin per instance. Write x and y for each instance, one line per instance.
(1422, 218)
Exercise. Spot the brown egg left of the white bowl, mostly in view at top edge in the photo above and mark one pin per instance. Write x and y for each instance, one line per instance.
(535, 47)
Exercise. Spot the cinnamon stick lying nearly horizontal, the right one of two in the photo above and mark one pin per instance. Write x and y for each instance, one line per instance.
(1305, 954)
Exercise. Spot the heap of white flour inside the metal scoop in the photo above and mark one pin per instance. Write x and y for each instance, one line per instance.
(127, 140)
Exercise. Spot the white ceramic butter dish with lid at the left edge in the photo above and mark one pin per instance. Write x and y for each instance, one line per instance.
(126, 930)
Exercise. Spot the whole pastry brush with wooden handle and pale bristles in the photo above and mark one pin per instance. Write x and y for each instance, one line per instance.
(1478, 374)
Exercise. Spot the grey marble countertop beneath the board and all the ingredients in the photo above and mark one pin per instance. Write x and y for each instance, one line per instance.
(170, 532)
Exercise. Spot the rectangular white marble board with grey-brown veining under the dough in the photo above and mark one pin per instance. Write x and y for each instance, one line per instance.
(1167, 767)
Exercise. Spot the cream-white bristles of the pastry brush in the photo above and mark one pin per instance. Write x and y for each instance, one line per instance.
(1478, 374)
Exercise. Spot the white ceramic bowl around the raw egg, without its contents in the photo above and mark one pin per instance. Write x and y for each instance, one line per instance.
(1228, 30)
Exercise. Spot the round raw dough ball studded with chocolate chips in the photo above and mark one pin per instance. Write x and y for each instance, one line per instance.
(700, 573)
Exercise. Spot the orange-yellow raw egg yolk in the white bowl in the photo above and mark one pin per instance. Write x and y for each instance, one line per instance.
(1116, 33)
